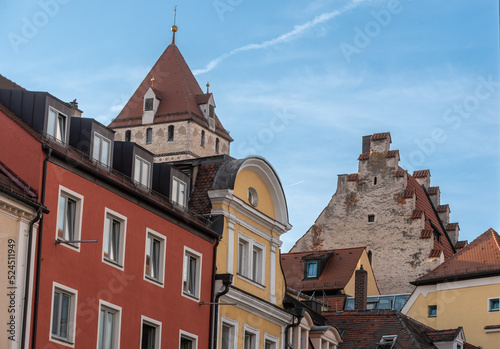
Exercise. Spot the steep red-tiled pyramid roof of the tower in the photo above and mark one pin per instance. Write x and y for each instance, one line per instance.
(175, 85)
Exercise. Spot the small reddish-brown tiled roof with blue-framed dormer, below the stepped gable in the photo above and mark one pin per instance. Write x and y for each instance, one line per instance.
(336, 274)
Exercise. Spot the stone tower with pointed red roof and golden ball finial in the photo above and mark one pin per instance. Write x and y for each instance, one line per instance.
(170, 115)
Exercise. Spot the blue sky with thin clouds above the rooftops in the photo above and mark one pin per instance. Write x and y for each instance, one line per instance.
(297, 83)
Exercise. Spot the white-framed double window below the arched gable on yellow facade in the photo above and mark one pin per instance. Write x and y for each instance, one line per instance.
(251, 257)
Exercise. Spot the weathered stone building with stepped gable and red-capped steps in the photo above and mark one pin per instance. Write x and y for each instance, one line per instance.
(390, 212)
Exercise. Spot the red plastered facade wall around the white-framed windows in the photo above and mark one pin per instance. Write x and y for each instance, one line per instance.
(84, 270)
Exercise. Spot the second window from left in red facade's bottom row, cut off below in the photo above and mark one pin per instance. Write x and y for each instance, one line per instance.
(109, 326)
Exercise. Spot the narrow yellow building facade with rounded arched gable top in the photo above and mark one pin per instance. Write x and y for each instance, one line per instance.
(248, 194)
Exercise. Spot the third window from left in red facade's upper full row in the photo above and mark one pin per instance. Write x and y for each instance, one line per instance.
(155, 256)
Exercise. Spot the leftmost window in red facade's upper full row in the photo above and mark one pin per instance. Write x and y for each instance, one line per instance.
(69, 215)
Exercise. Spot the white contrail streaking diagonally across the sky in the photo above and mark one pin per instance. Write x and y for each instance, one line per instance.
(297, 31)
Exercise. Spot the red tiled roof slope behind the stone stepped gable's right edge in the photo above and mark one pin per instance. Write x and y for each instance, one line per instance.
(422, 203)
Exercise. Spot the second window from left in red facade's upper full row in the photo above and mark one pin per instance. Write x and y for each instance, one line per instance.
(114, 238)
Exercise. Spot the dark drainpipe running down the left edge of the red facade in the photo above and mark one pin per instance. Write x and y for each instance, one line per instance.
(48, 152)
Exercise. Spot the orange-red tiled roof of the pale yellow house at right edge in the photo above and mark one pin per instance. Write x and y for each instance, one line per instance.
(480, 257)
